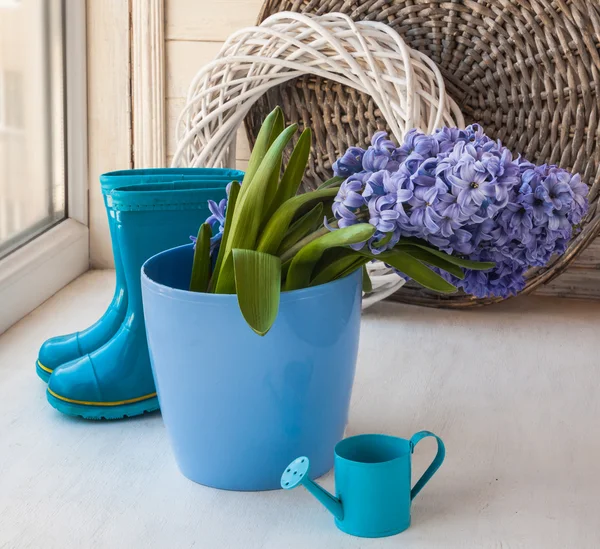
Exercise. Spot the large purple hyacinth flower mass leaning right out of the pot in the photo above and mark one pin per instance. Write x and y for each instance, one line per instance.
(465, 193)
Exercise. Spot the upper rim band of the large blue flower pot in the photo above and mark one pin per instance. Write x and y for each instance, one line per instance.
(226, 299)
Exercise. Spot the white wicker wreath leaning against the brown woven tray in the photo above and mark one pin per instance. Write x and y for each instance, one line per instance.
(406, 86)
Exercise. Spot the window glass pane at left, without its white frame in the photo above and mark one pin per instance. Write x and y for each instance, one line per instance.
(32, 176)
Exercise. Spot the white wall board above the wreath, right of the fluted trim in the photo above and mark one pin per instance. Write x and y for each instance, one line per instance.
(210, 20)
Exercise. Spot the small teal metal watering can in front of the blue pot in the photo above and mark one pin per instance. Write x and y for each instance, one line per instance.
(372, 481)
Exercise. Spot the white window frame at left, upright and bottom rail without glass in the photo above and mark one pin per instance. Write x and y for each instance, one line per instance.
(37, 270)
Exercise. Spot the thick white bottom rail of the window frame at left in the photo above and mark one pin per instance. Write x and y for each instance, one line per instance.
(31, 274)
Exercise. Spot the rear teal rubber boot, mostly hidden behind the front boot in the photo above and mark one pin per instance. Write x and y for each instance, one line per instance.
(61, 349)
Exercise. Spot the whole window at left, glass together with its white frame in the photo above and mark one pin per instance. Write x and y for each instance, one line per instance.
(43, 198)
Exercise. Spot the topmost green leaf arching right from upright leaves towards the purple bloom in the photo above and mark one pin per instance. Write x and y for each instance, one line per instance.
(278, 225)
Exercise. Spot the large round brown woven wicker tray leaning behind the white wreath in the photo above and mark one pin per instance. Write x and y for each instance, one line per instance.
(529, 72)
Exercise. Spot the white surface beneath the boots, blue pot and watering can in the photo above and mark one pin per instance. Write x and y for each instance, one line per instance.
(513, 391)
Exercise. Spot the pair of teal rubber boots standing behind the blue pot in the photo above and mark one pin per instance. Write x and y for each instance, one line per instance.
(104, 372)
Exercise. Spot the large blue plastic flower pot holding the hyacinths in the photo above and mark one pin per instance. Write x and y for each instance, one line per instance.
(239, 407)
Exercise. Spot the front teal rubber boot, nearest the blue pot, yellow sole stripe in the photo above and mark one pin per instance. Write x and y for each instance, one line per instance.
(116, 380)
